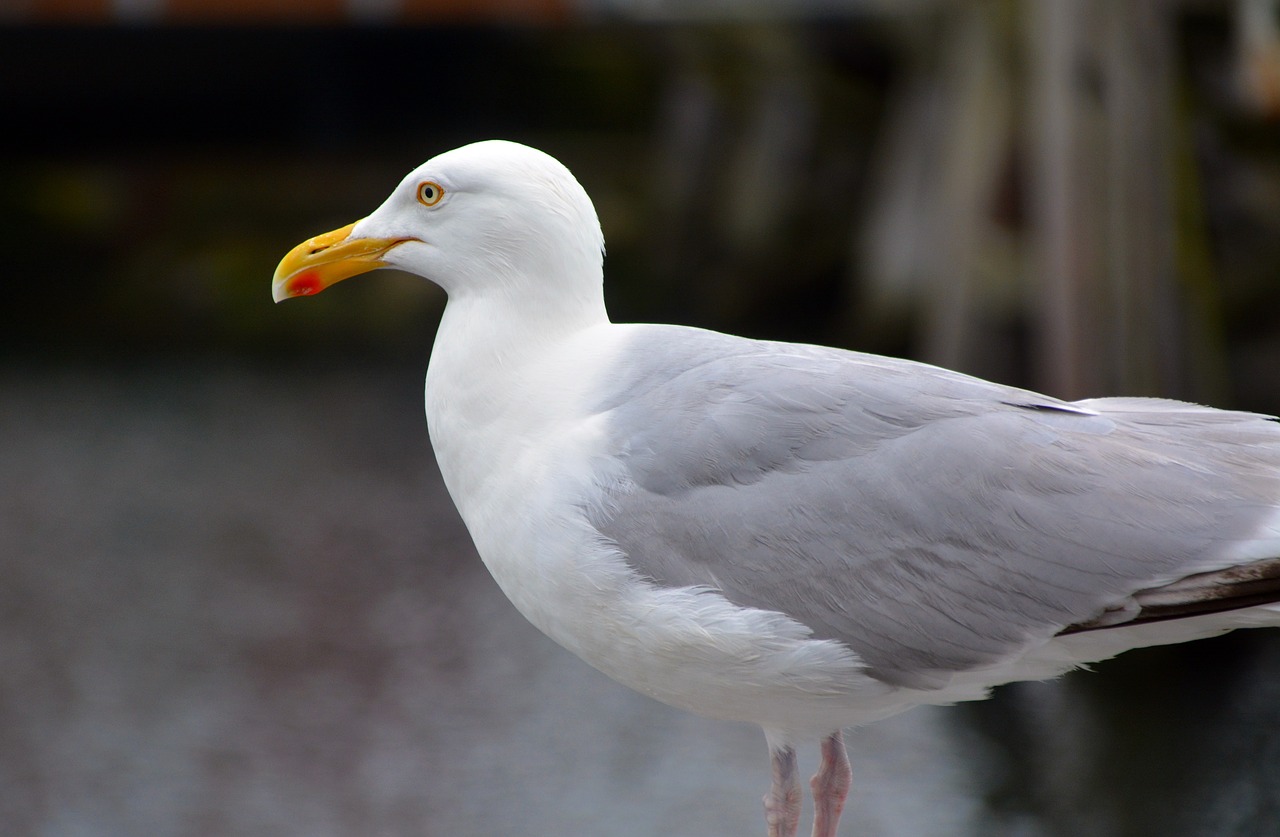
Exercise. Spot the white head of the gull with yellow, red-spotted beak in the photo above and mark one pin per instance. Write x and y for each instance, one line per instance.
(491, 217)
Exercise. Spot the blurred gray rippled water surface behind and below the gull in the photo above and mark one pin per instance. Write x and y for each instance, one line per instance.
(240, 602)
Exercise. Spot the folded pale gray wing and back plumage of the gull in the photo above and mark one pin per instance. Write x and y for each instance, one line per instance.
(931, 522)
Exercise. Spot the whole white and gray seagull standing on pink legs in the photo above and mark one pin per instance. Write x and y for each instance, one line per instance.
(798, 537)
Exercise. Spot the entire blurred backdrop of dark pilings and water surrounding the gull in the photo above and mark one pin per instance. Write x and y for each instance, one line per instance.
(235, 598)
